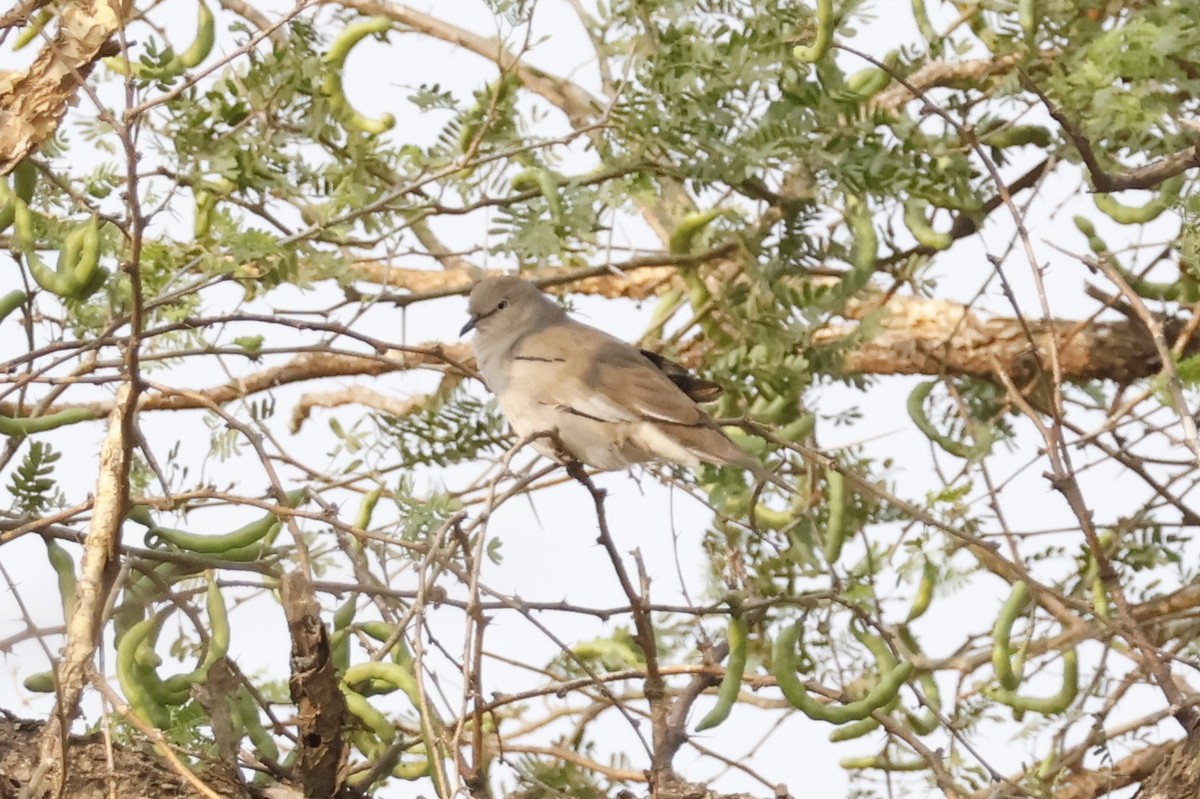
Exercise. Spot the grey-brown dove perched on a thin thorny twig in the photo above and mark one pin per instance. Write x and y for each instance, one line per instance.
(609, 405)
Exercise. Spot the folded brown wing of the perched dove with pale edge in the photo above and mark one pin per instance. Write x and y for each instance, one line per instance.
(589, 373)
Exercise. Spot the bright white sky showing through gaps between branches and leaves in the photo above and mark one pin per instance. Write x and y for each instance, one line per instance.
(553, 556)
